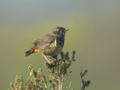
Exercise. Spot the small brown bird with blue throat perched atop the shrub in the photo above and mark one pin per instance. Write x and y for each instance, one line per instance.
(49, 45)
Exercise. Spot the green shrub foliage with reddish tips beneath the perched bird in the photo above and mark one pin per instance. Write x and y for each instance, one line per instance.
(37, 80)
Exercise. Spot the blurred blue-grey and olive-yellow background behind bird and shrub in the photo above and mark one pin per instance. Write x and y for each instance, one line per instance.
(94, 33)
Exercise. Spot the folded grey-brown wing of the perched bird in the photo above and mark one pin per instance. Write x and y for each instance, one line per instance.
(44, 40)
